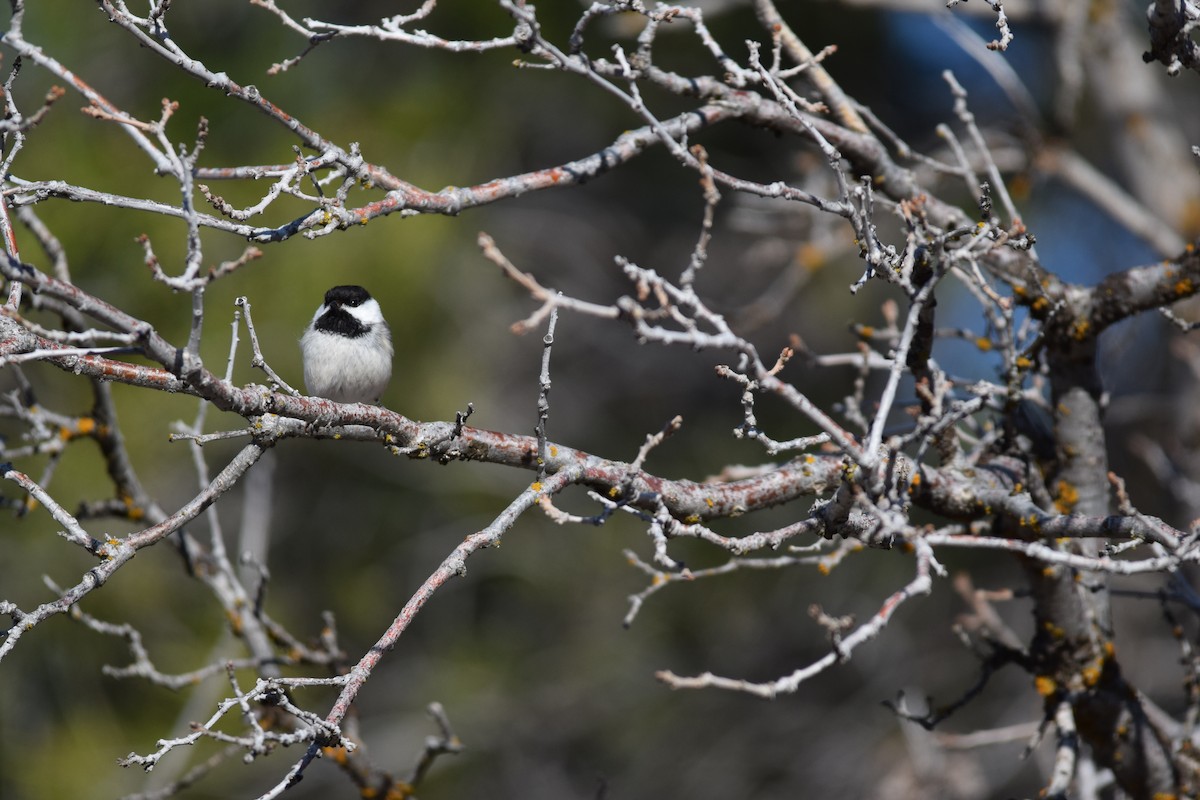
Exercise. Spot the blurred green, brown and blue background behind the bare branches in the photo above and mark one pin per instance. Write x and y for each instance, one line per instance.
(551, 697)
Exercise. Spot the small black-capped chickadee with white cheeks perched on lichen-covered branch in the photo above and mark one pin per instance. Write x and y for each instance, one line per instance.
(347, 348)
